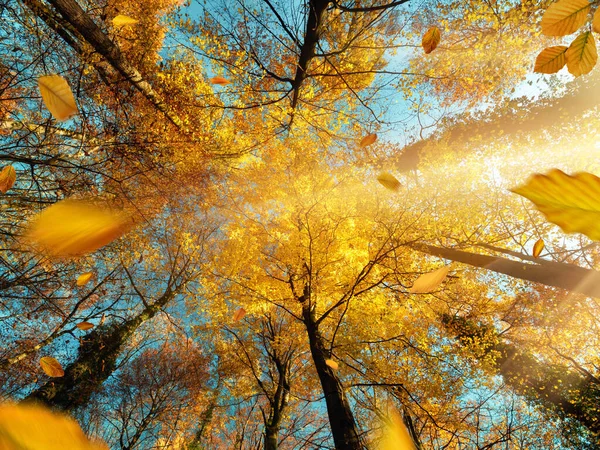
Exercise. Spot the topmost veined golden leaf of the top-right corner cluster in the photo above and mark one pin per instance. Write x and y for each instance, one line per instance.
(565, 17)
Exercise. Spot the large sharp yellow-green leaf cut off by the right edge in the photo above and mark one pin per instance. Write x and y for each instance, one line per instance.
(571, 202)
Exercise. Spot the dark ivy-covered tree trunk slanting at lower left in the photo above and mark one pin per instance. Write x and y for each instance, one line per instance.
(96, 361)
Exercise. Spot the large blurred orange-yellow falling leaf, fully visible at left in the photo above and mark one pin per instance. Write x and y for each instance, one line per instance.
(72, 228)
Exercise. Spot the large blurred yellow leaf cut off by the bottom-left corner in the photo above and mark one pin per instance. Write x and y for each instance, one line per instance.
(30, 426)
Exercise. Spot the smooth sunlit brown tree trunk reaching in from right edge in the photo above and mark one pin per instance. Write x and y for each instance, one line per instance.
(565, 276)
